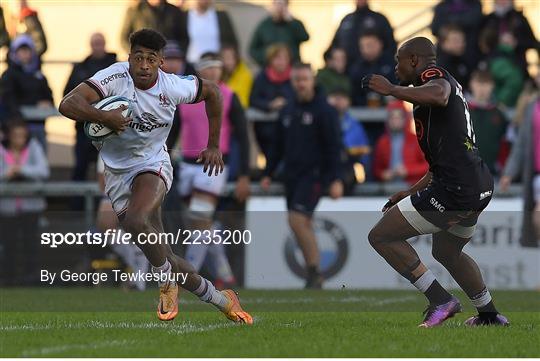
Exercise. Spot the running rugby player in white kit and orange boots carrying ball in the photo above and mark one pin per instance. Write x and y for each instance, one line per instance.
(138, 171)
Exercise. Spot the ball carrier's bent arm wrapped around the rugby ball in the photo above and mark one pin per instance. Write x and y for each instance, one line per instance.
(76, 105)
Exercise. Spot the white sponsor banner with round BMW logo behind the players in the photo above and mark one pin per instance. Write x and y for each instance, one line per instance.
(273, 260)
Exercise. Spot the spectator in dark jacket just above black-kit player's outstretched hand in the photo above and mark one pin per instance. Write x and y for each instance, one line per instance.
(372, 60)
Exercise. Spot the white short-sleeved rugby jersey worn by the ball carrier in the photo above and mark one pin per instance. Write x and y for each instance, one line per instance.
(144, 139)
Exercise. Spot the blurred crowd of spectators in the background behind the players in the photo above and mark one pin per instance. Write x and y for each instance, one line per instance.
(484, 52)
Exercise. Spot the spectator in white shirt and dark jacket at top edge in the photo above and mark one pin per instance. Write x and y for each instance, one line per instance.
(208, 30)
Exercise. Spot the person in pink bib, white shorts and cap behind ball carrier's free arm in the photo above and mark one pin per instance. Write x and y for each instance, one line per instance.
(201, 191)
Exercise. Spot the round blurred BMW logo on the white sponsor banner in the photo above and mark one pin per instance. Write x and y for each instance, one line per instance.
(333, 247)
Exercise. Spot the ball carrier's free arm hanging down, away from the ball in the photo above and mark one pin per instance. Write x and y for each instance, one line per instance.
(211, 157)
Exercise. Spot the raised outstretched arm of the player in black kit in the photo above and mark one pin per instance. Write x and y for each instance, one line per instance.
(435, 92)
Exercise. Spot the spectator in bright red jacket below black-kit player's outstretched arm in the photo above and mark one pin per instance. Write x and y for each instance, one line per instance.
(398, 156)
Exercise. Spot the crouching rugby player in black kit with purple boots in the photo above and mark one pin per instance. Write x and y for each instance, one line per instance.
(447, 201)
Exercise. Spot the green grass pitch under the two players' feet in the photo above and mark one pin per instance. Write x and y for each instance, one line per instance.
(100, 322)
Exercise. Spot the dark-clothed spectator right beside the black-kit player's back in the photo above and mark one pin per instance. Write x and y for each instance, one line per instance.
(488, 120)
